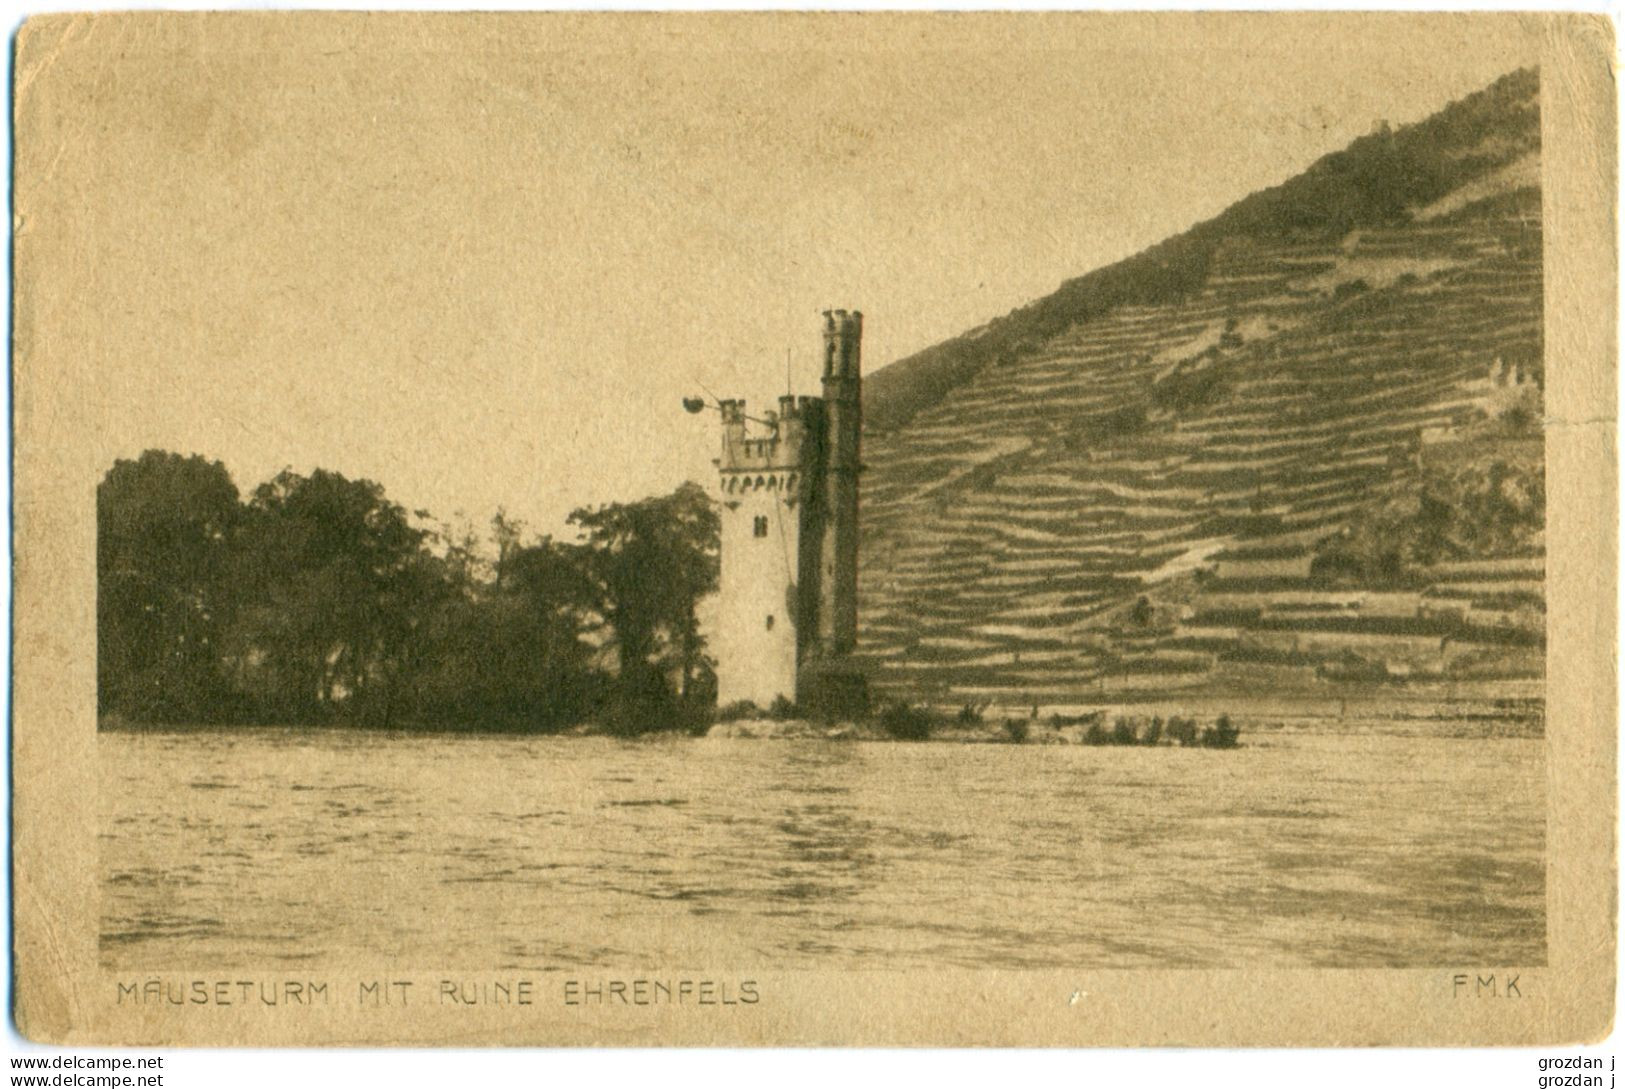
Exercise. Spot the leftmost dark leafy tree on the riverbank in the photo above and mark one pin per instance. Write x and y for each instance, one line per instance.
(163, 542)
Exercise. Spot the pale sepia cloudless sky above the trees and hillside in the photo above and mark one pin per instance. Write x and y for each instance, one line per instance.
(483, 259)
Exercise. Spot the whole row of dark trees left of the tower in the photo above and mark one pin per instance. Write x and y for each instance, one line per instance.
(318, 601)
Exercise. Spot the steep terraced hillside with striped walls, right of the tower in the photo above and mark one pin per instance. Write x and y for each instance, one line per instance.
(1296, 449)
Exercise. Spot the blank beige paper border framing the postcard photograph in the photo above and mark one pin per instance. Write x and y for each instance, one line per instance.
(69, 394)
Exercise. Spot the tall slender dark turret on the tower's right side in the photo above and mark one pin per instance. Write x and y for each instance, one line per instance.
(831, 682)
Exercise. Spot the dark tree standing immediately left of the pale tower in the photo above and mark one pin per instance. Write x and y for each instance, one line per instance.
(648, 565)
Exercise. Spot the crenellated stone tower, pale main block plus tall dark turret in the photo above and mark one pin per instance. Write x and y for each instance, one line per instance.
(789, 612)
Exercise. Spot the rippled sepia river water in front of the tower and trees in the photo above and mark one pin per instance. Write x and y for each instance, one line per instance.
(1317, 849)
